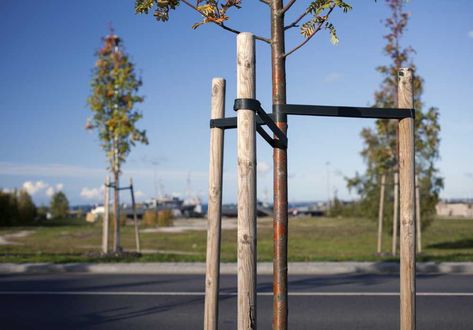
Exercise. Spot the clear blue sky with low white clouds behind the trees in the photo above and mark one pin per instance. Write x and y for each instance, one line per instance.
(48, 54)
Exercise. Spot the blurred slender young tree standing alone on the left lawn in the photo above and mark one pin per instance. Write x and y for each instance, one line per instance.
(114, 96)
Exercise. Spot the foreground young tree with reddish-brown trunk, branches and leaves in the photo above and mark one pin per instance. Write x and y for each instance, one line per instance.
(314, 18)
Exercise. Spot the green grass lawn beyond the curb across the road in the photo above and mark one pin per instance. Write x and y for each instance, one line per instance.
(310, 239)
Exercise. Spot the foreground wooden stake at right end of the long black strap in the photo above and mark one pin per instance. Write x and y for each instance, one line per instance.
(407, 204)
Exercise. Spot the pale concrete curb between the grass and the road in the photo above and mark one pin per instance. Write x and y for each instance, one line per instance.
(264, 268)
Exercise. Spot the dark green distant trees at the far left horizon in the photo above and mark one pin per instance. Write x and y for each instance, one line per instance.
(18, 209)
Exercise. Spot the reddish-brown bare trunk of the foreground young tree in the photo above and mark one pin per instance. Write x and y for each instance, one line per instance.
(278, 64)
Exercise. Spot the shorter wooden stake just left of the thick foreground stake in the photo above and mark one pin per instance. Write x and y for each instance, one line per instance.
(214, 213)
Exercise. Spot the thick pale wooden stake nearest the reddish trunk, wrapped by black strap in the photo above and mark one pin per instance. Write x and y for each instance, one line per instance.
(246, 145)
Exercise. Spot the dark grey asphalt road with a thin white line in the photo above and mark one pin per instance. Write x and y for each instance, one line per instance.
(83, 301)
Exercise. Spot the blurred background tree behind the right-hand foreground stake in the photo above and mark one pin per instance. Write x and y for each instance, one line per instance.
(380, 143)
